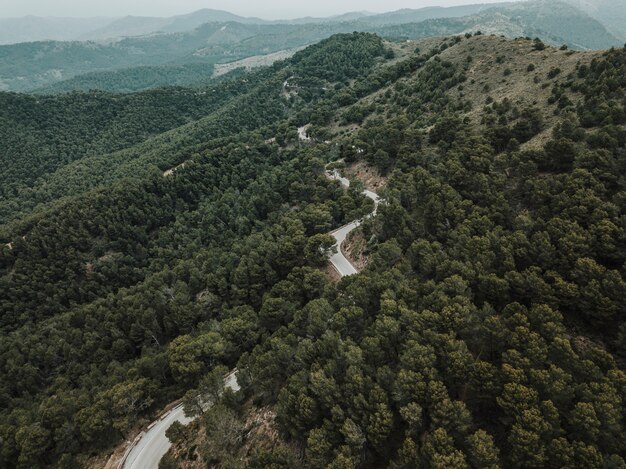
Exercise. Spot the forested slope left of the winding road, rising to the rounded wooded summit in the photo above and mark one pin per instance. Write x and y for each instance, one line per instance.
(112, 245)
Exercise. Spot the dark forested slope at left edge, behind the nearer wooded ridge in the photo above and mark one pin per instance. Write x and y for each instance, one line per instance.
(42, 134)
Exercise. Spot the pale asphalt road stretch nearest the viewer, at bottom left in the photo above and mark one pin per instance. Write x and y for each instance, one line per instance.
(153, 444)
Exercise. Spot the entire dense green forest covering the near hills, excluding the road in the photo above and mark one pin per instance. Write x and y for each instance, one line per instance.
(487, 330)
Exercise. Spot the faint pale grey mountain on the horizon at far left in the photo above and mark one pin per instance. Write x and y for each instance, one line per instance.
(33, 28)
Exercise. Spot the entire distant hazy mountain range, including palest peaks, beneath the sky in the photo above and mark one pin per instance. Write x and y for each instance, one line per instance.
(209, 37)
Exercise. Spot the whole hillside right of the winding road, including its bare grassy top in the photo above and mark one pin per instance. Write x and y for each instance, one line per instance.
(490, 318)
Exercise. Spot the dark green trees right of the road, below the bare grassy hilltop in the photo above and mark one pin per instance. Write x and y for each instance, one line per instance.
(488, 329)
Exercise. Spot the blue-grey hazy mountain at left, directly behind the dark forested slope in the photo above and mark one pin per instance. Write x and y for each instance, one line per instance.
(36, 65)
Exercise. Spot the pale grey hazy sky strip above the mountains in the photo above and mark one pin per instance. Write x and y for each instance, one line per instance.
(272, 9)
